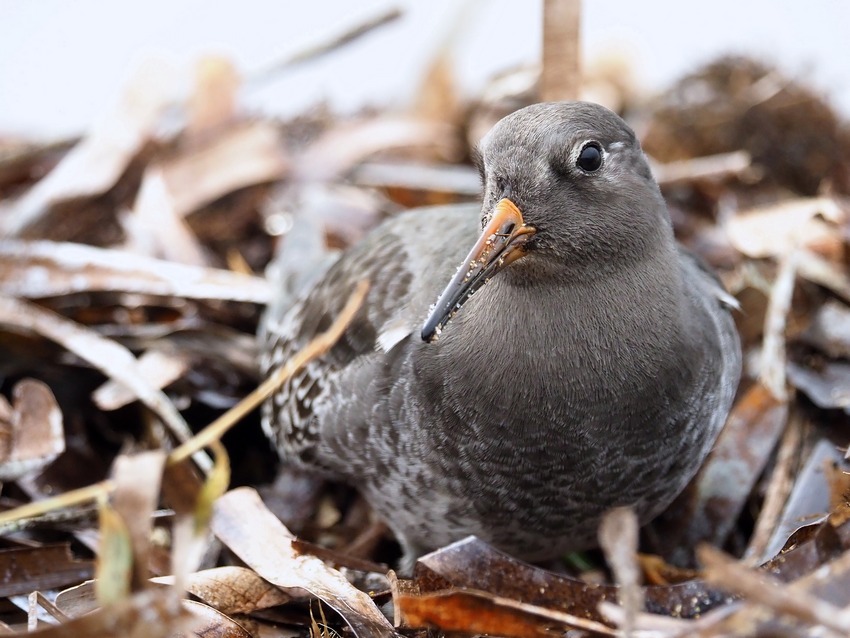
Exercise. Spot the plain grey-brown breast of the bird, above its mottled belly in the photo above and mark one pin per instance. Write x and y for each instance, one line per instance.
(544, 365)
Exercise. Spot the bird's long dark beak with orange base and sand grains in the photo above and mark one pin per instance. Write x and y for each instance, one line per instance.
(502, 242)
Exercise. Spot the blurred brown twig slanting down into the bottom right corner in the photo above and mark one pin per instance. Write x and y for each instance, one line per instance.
(725, 572)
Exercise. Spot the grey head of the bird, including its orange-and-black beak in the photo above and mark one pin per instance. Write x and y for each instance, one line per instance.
(566, 188)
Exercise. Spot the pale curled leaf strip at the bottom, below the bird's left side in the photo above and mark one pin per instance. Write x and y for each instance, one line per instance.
(242, 522)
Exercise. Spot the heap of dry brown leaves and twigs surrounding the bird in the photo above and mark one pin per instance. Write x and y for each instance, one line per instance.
(132, 281)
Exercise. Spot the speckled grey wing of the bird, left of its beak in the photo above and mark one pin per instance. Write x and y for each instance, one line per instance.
(407, 261)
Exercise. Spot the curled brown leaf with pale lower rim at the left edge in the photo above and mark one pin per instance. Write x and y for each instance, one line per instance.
(30, 430)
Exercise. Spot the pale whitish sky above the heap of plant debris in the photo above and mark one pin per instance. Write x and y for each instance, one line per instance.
(63, 60)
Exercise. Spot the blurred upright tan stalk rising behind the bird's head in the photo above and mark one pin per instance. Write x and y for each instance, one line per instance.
(560, 78)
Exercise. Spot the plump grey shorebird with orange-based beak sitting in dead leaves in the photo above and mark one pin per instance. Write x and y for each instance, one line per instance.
(516, 369)
